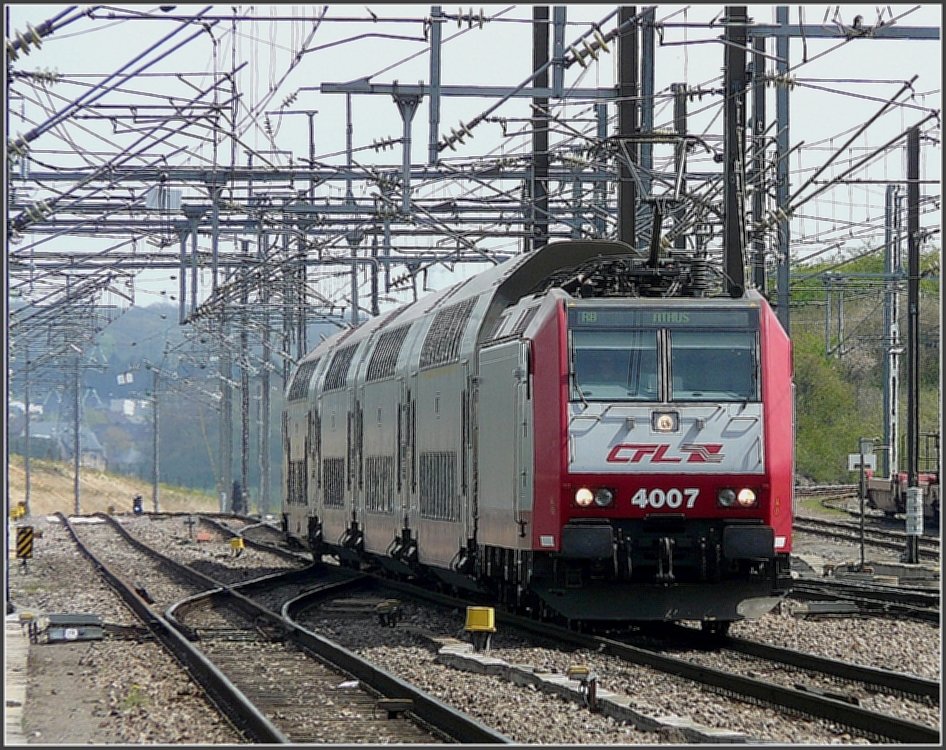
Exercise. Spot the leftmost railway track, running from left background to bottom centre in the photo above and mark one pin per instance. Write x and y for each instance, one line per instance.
(247, 697)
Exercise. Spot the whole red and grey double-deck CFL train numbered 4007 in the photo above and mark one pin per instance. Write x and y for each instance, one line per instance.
(573, 432)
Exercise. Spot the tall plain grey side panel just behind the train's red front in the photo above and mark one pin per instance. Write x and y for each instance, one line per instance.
(504, 466)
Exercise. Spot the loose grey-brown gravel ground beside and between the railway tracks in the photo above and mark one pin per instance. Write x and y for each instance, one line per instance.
(125, 692)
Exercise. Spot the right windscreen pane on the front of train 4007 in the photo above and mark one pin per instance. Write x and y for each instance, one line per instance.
(721, 366)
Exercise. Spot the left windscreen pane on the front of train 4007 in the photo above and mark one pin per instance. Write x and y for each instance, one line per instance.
(615, 365)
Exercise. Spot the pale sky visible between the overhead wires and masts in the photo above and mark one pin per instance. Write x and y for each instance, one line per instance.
(838, 86)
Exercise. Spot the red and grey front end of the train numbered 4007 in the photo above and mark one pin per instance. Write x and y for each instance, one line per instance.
(674, 481)
